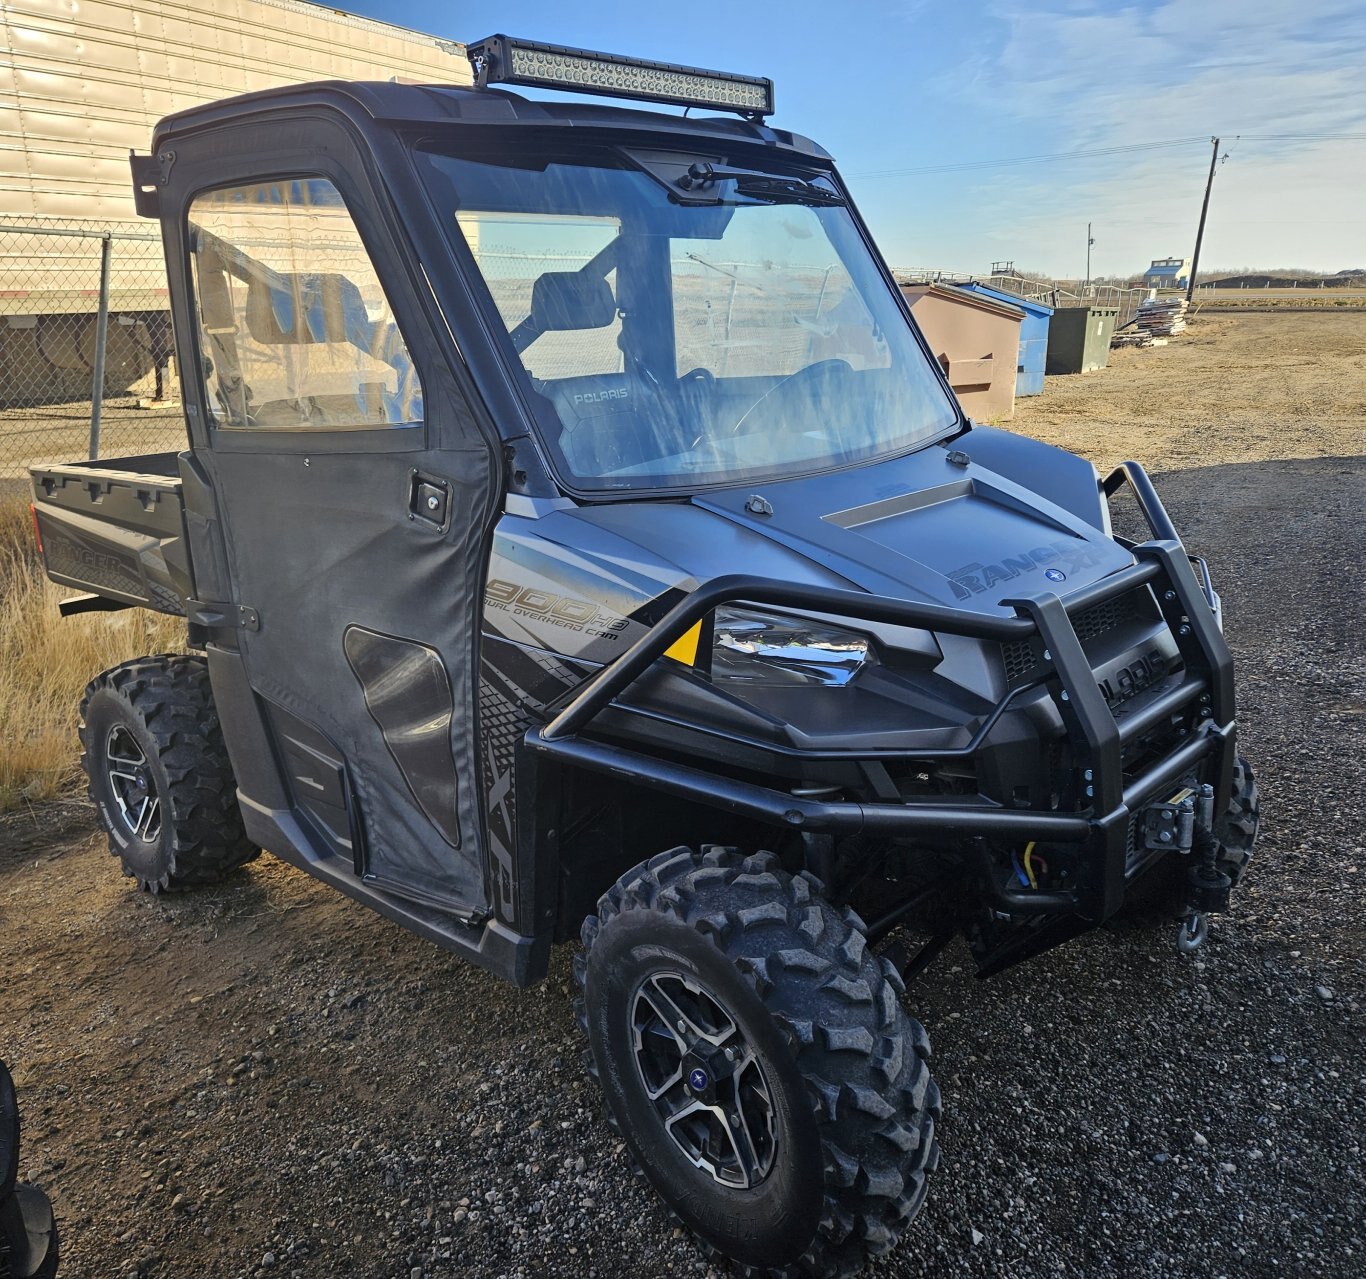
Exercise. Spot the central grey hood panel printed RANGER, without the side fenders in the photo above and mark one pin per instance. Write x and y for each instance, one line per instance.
(924, 528)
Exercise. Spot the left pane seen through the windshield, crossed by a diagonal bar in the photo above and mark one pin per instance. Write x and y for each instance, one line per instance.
(514, 251)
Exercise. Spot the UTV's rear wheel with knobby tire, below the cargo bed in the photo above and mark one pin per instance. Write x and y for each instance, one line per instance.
(159, 773)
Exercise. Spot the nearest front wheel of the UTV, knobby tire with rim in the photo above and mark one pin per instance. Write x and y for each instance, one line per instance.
(756, 1058)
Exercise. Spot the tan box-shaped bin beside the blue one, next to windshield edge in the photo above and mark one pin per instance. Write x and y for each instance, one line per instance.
(977, 341)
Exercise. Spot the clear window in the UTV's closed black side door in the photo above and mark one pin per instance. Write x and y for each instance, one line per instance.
(296, 333)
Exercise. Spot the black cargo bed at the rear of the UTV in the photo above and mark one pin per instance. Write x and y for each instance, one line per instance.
(115, 528)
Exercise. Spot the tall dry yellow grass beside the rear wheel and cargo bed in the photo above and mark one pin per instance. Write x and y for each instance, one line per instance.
(47, 661)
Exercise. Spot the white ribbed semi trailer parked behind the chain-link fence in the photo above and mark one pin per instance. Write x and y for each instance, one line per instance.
(85, 81)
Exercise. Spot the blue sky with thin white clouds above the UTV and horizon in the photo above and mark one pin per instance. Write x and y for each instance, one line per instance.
(895, 85)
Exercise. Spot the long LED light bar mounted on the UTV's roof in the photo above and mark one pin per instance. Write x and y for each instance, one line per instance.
(503, 61)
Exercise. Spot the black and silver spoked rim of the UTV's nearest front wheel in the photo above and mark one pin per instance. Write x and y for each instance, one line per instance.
(704, 1080)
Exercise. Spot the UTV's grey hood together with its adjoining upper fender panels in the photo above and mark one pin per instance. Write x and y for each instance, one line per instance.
(587, 581)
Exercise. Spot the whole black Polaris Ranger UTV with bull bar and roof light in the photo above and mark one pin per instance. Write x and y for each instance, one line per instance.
(577, 538)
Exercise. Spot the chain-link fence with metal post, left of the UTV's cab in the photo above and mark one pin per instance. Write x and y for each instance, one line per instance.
(87, 359)
